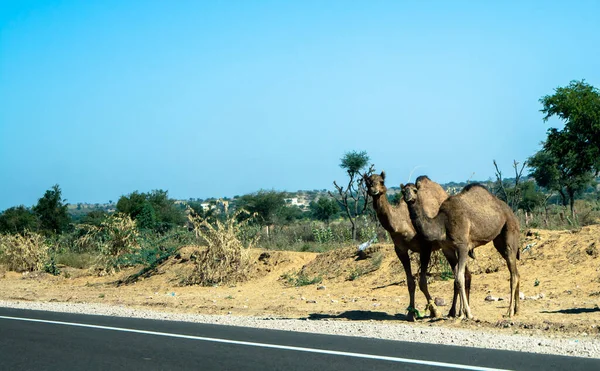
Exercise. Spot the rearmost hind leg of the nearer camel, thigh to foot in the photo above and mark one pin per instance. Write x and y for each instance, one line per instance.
(507, 244)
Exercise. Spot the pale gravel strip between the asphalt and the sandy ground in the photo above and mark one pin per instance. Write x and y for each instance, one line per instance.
(416, 332)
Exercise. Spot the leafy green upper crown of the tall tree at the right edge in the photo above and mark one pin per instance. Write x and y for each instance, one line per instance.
(578, 106)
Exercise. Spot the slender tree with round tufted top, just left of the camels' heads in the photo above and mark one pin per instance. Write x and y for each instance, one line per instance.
(354, 197)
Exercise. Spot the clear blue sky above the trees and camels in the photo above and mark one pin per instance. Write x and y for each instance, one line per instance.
(222, 98)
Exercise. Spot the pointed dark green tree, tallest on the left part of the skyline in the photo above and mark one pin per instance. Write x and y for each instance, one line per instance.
(52, 211)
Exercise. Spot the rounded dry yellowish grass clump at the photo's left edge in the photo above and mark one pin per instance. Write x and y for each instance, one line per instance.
(21, 253)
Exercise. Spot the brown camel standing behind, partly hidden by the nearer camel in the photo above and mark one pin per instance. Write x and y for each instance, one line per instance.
(396, 220)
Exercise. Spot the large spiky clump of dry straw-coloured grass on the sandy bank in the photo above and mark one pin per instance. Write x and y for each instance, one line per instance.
(225, 260)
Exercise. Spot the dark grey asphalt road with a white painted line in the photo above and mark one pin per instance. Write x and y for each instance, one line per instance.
(37, 340)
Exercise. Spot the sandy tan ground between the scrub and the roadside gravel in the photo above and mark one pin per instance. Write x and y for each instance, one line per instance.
(560, 279)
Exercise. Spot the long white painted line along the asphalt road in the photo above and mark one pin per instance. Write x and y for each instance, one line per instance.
(263, 345)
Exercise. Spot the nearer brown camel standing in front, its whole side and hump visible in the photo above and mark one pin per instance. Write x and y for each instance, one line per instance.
(469, 219)
